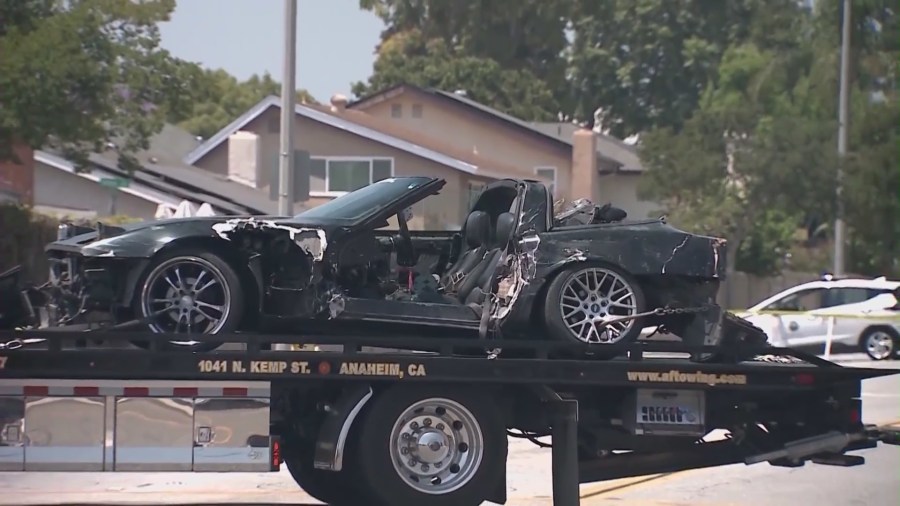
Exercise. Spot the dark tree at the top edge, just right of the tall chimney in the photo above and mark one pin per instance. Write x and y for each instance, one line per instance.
(645, 63)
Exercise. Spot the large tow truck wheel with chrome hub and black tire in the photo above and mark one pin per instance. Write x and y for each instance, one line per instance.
(431, 444)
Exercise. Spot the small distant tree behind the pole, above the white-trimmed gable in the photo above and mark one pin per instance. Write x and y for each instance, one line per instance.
(220, 98)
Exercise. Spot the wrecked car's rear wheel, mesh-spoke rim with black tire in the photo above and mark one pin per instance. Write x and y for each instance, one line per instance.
(583, 296)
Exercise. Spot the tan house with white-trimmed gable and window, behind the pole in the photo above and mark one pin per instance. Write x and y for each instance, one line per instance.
(350, 149)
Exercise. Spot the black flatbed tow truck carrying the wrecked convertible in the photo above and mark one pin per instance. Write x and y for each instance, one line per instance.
(366, 422)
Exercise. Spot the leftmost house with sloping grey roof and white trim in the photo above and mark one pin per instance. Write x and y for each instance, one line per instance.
(163, 180)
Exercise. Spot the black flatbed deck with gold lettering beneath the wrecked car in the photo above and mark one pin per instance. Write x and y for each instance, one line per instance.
(650, 363)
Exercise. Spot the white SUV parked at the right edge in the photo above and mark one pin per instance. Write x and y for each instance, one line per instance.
(865, 315)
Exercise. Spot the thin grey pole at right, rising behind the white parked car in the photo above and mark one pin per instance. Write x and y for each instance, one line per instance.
(843, 105)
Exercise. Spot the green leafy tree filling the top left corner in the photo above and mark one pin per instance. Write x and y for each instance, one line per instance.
(81, 74)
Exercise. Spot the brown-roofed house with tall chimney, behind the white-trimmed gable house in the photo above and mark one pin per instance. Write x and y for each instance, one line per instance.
(545, 149)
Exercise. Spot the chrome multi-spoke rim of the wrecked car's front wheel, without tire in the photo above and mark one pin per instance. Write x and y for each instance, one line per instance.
(191, 293)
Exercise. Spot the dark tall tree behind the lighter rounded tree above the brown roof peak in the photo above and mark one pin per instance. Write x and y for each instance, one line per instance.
(517, 35)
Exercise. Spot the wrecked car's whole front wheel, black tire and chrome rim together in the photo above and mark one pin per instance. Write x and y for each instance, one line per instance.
(218, 276)
